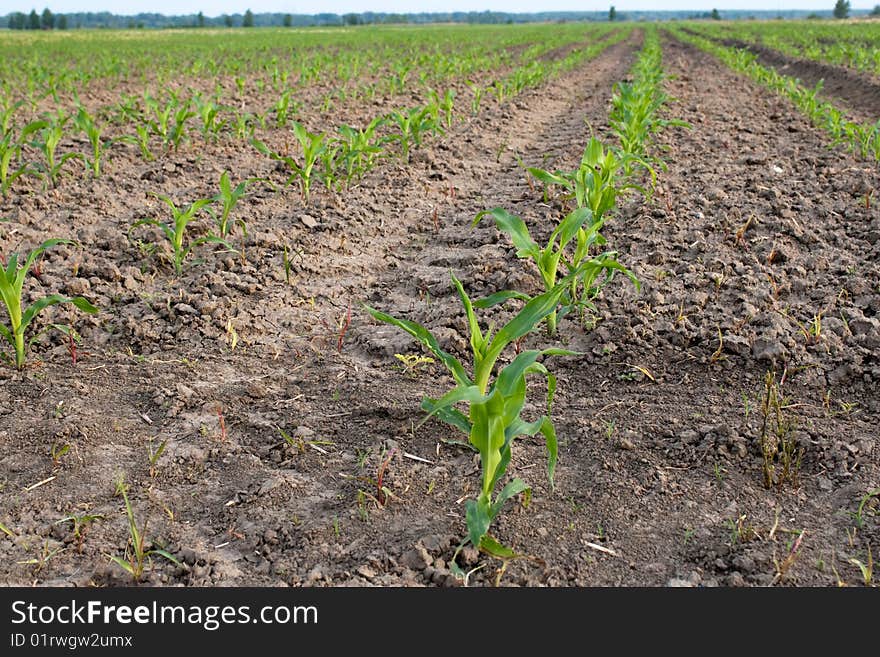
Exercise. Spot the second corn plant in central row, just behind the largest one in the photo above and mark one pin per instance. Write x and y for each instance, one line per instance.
(577, 227)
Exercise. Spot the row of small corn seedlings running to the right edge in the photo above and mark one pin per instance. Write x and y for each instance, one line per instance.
(863, 139)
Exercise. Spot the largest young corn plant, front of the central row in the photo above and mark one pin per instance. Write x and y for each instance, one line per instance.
(493, 419)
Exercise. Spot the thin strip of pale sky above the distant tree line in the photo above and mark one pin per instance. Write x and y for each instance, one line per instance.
(218, 7)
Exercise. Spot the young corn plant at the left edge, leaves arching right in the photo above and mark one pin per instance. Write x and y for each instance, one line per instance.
(12, 277)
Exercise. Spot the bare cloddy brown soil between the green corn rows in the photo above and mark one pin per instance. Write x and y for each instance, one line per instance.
(660, 478)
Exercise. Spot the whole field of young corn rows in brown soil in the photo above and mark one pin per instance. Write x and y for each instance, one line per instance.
(535, 305)
